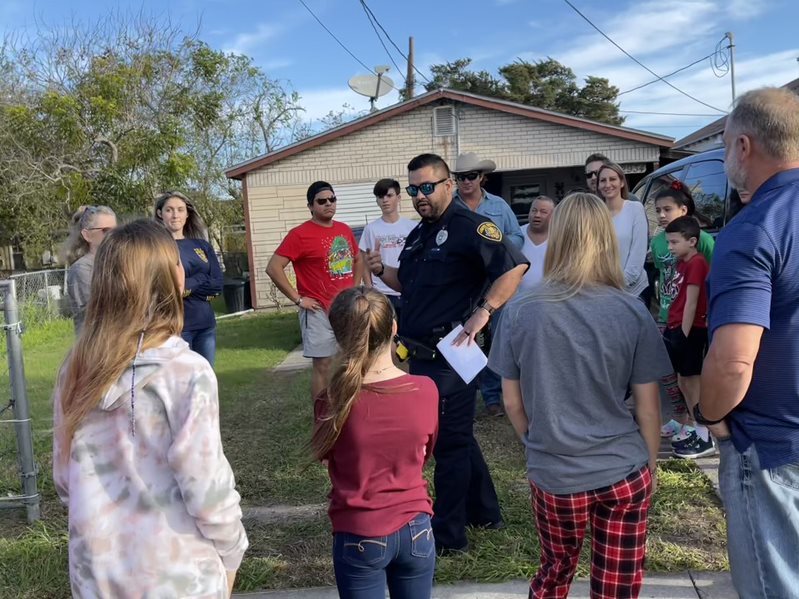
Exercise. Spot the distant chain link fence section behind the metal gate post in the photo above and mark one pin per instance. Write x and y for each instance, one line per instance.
(42, 296)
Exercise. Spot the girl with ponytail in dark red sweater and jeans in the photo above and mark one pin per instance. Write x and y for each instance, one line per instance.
(376, 427)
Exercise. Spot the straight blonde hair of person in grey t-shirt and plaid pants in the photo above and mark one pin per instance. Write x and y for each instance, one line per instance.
(582, 250)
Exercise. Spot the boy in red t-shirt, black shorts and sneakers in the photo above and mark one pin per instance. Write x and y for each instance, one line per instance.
(686, 328)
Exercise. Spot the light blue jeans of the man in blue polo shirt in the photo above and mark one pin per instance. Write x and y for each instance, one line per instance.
(762, 523)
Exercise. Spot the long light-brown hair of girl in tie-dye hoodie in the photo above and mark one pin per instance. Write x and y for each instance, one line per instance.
(135, 294)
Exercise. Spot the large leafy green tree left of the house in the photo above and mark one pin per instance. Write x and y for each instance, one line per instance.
(119, 111)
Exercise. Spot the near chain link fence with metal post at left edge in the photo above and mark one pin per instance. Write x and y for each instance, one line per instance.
(17, 467)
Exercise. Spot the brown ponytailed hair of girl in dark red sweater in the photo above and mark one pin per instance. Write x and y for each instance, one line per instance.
(362, 321)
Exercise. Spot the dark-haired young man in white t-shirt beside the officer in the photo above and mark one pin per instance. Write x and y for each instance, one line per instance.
(387, 234)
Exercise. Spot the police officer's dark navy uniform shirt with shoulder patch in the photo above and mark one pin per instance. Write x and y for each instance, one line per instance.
(446, 268)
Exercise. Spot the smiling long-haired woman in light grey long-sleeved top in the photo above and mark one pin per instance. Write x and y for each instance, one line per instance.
(632, 230)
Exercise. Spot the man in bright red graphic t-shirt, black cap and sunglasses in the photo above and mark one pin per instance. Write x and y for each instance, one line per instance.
(326, 260)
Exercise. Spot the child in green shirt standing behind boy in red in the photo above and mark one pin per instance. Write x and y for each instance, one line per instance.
(671, 203)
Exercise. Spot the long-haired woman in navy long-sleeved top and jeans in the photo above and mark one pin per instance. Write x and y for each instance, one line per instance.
(203, 275)
